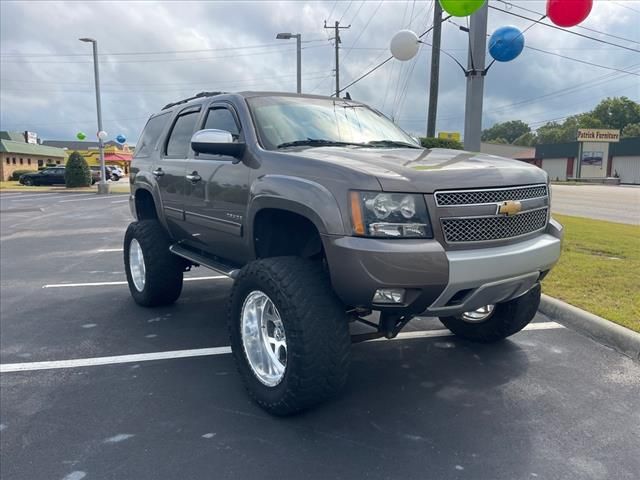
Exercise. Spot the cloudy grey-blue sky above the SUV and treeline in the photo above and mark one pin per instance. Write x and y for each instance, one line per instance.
(153, 53)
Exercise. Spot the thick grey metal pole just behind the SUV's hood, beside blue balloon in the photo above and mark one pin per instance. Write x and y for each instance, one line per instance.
(475, 79)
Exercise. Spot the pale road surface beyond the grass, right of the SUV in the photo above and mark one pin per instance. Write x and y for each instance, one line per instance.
(602, 202)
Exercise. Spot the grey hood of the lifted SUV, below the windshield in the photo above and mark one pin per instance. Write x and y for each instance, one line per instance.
(413, 170)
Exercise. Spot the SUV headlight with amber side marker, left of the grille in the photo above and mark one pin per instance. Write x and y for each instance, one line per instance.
(390, 215)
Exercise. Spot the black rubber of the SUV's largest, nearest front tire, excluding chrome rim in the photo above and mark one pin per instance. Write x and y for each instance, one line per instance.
(316, 328)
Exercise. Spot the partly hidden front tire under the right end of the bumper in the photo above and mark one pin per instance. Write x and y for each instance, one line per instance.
(507, 318)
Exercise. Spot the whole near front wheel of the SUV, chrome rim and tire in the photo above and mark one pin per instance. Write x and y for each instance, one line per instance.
(289, 334)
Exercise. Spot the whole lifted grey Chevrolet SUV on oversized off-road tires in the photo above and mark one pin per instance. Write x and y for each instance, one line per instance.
(322, 211)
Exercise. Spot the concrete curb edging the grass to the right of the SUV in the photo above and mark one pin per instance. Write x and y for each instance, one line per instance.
(597, 328)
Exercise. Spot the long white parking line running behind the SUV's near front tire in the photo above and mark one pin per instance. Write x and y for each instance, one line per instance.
(198, 352)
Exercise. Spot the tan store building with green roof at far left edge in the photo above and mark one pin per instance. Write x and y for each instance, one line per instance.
(20, 151)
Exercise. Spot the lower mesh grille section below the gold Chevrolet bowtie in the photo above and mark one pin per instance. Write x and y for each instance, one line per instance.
(478, 229)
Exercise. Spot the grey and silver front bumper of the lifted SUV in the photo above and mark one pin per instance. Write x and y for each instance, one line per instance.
(438, 282)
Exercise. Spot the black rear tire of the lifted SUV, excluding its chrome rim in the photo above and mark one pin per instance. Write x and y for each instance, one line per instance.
(163, 269)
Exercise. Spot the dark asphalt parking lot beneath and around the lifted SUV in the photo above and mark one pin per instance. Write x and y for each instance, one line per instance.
(546, 404)
